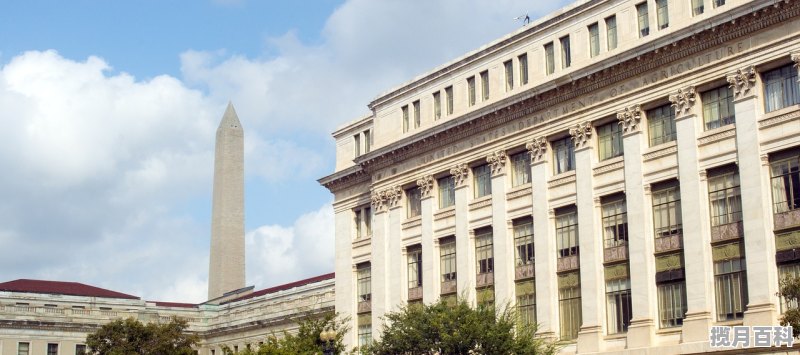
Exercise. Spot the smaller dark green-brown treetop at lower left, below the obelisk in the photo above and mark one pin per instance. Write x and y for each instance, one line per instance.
(129, 336)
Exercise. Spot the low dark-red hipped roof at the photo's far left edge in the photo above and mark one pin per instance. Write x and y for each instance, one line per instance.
(61, 288)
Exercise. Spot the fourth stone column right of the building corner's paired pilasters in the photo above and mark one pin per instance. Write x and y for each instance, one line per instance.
(544, 241)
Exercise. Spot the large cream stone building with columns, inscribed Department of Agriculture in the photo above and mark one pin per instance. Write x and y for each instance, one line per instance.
(624, 172)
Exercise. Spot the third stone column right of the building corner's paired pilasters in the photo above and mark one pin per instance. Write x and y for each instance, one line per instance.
(503, 245)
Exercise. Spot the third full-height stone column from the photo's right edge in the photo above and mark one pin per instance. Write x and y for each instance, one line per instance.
(641, 332)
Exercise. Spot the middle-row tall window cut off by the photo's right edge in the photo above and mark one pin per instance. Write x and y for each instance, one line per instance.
(786, 182)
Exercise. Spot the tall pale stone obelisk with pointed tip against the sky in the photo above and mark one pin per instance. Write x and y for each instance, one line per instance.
(226, 266)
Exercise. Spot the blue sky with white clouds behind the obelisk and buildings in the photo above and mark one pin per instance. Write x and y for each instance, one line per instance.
(113, 107)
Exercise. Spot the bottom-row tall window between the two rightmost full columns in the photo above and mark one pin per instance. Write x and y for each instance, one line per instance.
(730, 282)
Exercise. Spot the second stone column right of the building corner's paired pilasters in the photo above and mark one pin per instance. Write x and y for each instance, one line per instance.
(465, 278)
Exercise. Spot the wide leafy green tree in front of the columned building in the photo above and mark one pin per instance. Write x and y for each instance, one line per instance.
(457, 328)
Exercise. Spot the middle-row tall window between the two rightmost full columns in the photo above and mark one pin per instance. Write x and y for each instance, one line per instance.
(724, 197)
